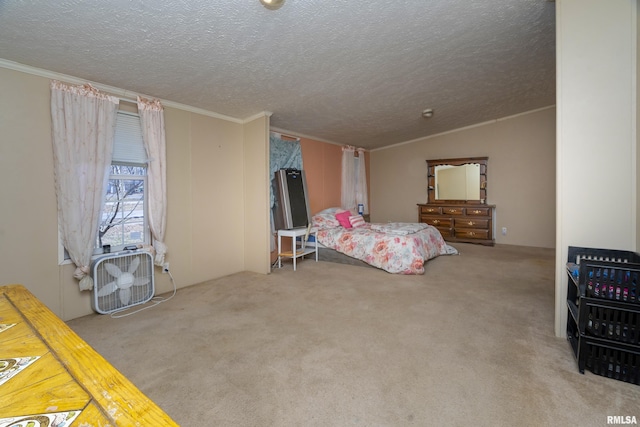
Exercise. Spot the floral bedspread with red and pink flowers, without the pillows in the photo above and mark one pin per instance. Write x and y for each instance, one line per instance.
(403, 254)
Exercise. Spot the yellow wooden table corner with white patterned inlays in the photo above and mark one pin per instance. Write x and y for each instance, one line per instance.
(50, 377)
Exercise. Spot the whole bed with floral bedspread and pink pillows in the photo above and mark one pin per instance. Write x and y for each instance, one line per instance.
(400, 248)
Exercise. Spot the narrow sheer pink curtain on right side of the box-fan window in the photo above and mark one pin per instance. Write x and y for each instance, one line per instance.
(153, 135)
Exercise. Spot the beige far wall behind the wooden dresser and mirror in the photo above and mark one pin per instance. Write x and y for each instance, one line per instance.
(521, 175)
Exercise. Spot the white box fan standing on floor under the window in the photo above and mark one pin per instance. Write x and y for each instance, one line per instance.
(122, 280)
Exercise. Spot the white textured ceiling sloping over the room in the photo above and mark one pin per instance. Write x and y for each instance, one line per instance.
(356, 72)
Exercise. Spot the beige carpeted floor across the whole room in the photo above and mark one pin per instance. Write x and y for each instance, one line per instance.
(470, 342)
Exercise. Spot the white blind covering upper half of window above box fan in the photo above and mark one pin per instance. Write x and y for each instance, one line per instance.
(128, 147)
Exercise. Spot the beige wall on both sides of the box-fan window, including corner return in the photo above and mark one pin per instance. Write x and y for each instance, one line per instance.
(206, 186)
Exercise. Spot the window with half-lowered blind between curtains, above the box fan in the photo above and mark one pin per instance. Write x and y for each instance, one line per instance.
(124, 214)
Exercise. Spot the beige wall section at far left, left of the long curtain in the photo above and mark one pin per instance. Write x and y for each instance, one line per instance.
(28, 216)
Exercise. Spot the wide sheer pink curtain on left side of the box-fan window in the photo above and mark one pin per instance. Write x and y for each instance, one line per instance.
(82, 130)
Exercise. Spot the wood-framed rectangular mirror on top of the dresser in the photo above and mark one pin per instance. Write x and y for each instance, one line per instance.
(457, 181)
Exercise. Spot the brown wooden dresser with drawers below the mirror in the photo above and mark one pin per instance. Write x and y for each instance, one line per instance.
(460, 223)
